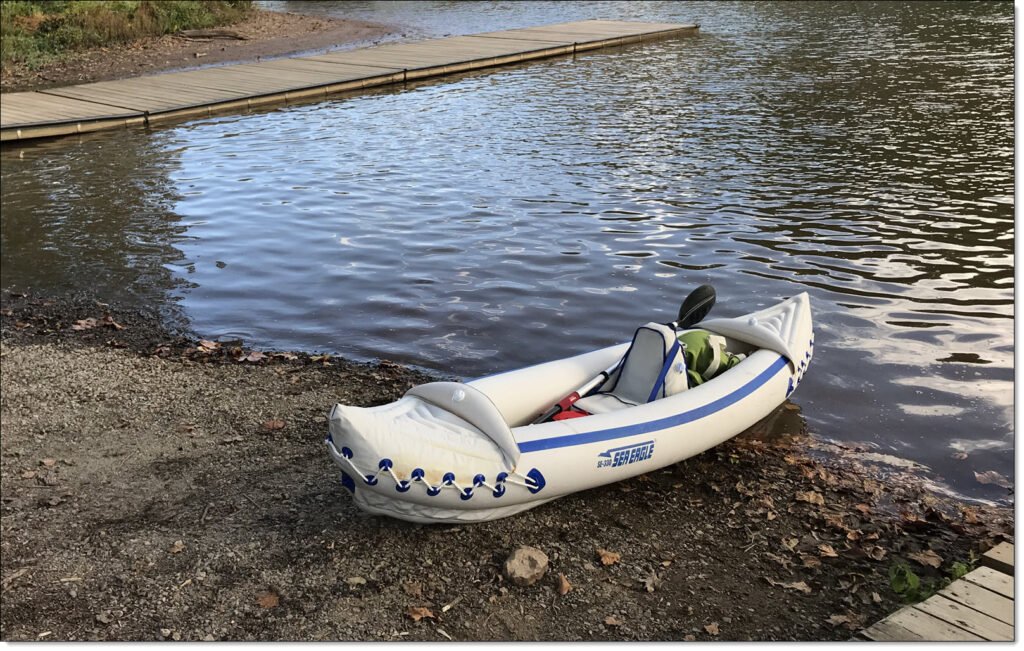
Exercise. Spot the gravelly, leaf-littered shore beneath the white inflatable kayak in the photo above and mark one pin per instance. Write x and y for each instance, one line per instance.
(154, 488)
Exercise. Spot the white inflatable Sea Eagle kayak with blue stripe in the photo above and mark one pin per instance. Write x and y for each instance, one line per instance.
(451, 452)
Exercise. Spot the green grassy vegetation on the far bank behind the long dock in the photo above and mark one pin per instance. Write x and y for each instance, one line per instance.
(35, 32)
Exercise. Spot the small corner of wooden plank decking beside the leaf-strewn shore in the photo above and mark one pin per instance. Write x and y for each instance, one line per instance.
(978, 607)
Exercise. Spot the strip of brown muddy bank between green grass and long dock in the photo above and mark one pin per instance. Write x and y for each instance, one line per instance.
(268, 35)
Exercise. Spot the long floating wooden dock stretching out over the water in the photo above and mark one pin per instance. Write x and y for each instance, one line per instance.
(154, 99)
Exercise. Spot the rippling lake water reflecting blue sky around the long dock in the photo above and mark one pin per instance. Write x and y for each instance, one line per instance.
(863, 153)
